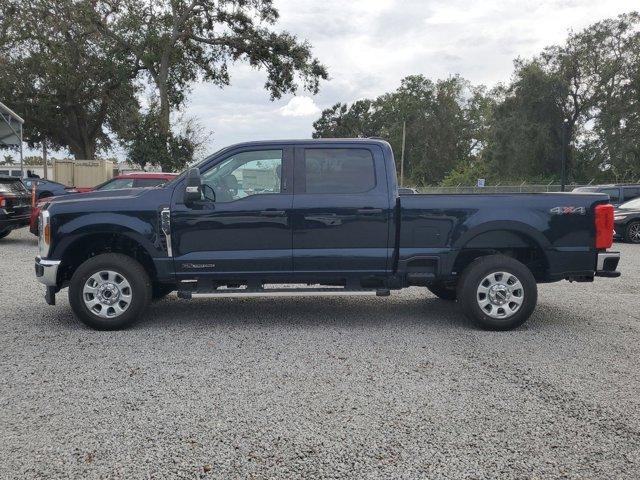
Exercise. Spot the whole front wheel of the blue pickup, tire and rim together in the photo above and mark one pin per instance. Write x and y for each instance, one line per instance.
(109, 291)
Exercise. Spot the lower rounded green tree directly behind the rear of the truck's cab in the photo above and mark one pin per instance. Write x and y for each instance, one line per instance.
(444, 124)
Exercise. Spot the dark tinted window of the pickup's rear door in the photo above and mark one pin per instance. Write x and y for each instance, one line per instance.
(339, 170)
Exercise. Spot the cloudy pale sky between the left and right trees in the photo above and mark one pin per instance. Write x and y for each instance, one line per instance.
(368, 46)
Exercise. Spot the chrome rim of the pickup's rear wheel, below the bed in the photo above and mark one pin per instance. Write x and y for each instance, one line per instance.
(500, 295)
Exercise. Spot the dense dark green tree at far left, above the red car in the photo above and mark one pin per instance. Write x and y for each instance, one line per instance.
(69, 82)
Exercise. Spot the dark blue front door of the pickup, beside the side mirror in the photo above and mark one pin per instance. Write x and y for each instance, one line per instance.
(247, 228)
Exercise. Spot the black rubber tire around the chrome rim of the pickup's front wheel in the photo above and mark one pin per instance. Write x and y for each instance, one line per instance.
(127, 268)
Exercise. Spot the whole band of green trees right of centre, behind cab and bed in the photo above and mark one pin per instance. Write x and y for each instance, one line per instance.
(457, 133)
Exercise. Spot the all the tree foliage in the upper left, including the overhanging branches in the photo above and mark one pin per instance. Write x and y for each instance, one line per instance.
(74, 68)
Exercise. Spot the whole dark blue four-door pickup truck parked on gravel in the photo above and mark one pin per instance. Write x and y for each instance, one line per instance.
(315, 217)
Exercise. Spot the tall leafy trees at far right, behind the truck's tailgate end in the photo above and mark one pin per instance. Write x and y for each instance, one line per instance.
(591, 82)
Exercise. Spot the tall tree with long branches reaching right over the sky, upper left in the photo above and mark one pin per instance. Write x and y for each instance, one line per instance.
(179, 41)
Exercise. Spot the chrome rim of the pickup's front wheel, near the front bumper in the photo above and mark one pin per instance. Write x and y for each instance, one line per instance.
(107, 294)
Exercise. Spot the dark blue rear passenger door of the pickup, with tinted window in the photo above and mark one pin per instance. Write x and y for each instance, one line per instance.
(341, 210)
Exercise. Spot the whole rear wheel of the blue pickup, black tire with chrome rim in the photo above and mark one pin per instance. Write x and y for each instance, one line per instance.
(470, 299)
